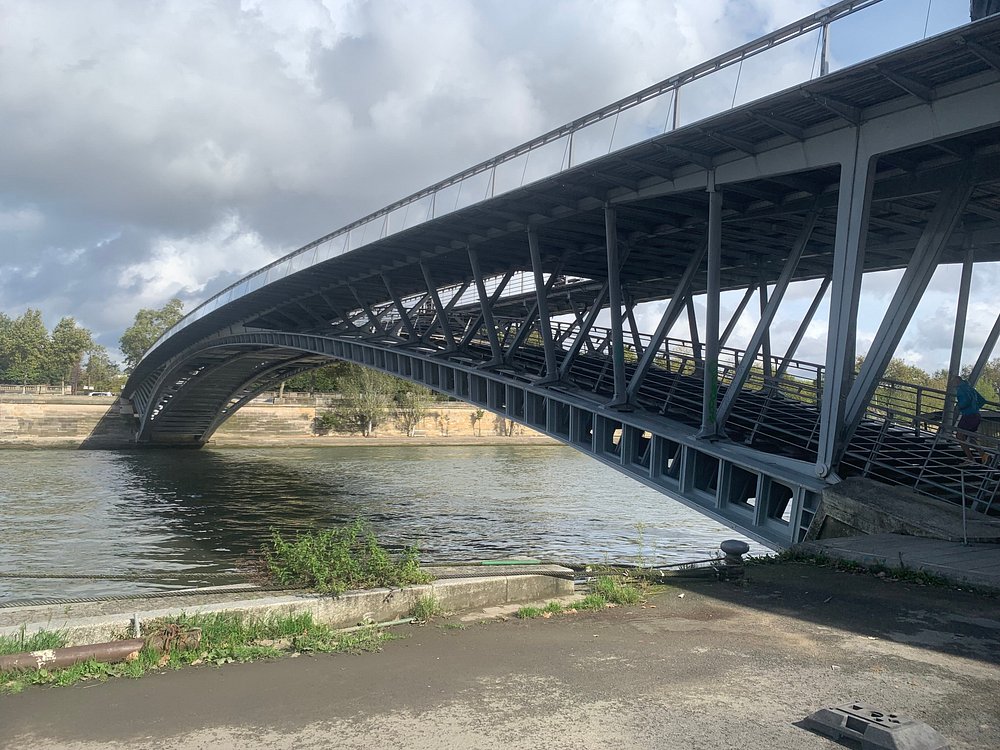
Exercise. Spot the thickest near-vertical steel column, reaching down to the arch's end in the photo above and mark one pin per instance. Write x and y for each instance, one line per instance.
(857, 173)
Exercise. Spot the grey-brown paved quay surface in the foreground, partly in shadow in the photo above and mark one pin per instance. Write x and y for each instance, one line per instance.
(703, 665)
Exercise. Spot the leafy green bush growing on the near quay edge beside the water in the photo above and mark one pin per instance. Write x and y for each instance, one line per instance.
(335, 560)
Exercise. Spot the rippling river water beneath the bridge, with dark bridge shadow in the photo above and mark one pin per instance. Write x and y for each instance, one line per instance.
(185, 513)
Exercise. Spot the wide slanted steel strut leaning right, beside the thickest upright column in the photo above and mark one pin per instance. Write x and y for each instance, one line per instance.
(923, 263)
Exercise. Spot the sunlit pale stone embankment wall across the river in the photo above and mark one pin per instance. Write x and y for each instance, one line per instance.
(51, 421)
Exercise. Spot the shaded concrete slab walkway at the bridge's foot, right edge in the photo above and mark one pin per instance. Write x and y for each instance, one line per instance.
(974, 564)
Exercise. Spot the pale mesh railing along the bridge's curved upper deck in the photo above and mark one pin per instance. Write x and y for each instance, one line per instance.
(714, 86)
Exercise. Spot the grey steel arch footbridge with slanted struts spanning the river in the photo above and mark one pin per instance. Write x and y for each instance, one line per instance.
(890, 164)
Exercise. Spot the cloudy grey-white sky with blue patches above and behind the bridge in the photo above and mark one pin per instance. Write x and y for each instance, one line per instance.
(160, 149)
